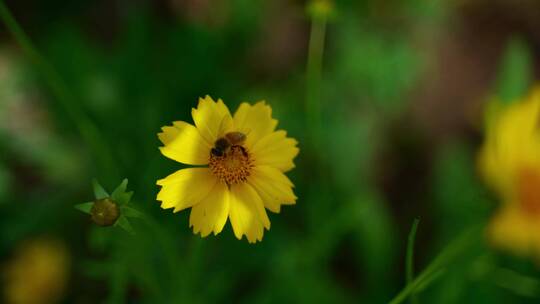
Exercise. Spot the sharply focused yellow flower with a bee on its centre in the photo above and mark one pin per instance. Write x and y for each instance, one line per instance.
(241, 159)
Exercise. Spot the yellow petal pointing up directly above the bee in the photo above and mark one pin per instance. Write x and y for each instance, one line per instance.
(212, 119)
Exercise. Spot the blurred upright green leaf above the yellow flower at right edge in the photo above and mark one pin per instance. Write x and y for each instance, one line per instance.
(515, 73)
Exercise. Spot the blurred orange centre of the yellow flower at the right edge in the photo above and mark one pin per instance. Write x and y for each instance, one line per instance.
(529, 191)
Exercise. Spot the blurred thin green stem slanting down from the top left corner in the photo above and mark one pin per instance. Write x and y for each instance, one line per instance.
(87, 129)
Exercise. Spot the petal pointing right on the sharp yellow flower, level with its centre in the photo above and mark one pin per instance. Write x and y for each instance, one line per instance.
(276, 150)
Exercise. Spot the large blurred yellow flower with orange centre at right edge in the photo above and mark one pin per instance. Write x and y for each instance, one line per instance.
(510, 163)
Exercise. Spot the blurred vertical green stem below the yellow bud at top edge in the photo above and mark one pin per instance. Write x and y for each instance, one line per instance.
(314, 75)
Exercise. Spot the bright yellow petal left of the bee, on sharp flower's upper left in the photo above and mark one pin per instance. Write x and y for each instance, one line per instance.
(184, 144)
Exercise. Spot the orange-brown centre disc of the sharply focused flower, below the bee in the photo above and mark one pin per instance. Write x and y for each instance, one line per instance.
(232, 167)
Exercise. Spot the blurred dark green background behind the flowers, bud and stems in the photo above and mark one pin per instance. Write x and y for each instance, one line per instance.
(402, 95)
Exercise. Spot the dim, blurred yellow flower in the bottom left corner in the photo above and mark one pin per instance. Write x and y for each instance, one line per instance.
(38, 273)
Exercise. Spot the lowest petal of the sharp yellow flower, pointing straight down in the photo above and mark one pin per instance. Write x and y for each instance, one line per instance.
(247, 213)
